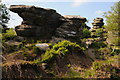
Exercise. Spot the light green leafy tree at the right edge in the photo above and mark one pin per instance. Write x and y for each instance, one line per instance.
(113, 24)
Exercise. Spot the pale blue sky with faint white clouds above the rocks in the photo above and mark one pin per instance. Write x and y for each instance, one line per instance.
(88, 8)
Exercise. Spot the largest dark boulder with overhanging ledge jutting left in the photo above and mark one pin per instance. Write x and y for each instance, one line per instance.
(37, 21)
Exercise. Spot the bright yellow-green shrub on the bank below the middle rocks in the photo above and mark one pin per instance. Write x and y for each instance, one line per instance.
(61, 49)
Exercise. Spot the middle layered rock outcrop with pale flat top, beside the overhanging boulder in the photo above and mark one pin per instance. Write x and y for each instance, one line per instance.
(72, 27)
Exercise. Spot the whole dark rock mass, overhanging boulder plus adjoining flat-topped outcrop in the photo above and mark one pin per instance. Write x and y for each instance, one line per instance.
(45, 23)
